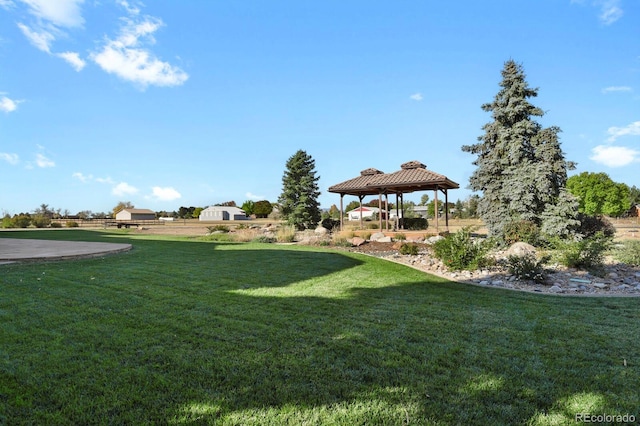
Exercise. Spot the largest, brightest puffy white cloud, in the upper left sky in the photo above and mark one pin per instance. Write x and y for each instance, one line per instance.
(128, 59)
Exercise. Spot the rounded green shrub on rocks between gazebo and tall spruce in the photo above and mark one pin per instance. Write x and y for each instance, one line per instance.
(459, 251)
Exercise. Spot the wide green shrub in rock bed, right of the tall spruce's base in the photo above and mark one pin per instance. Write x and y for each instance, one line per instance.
(587, 253)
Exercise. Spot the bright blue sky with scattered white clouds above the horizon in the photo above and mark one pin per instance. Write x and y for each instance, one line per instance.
(192, 103)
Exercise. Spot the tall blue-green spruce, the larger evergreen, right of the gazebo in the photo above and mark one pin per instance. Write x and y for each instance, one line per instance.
(521, 169)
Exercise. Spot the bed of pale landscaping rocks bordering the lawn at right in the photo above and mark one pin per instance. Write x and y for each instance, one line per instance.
(616, 279)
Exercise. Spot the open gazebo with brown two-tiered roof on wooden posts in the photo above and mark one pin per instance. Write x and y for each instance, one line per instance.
(412, 176)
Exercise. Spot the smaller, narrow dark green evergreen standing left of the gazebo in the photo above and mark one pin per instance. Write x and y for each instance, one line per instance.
(299, 198)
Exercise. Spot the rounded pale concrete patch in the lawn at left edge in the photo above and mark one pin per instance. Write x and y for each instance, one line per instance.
(21, 250)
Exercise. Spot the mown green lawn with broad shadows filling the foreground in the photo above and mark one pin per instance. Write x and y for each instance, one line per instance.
(182, 331)
